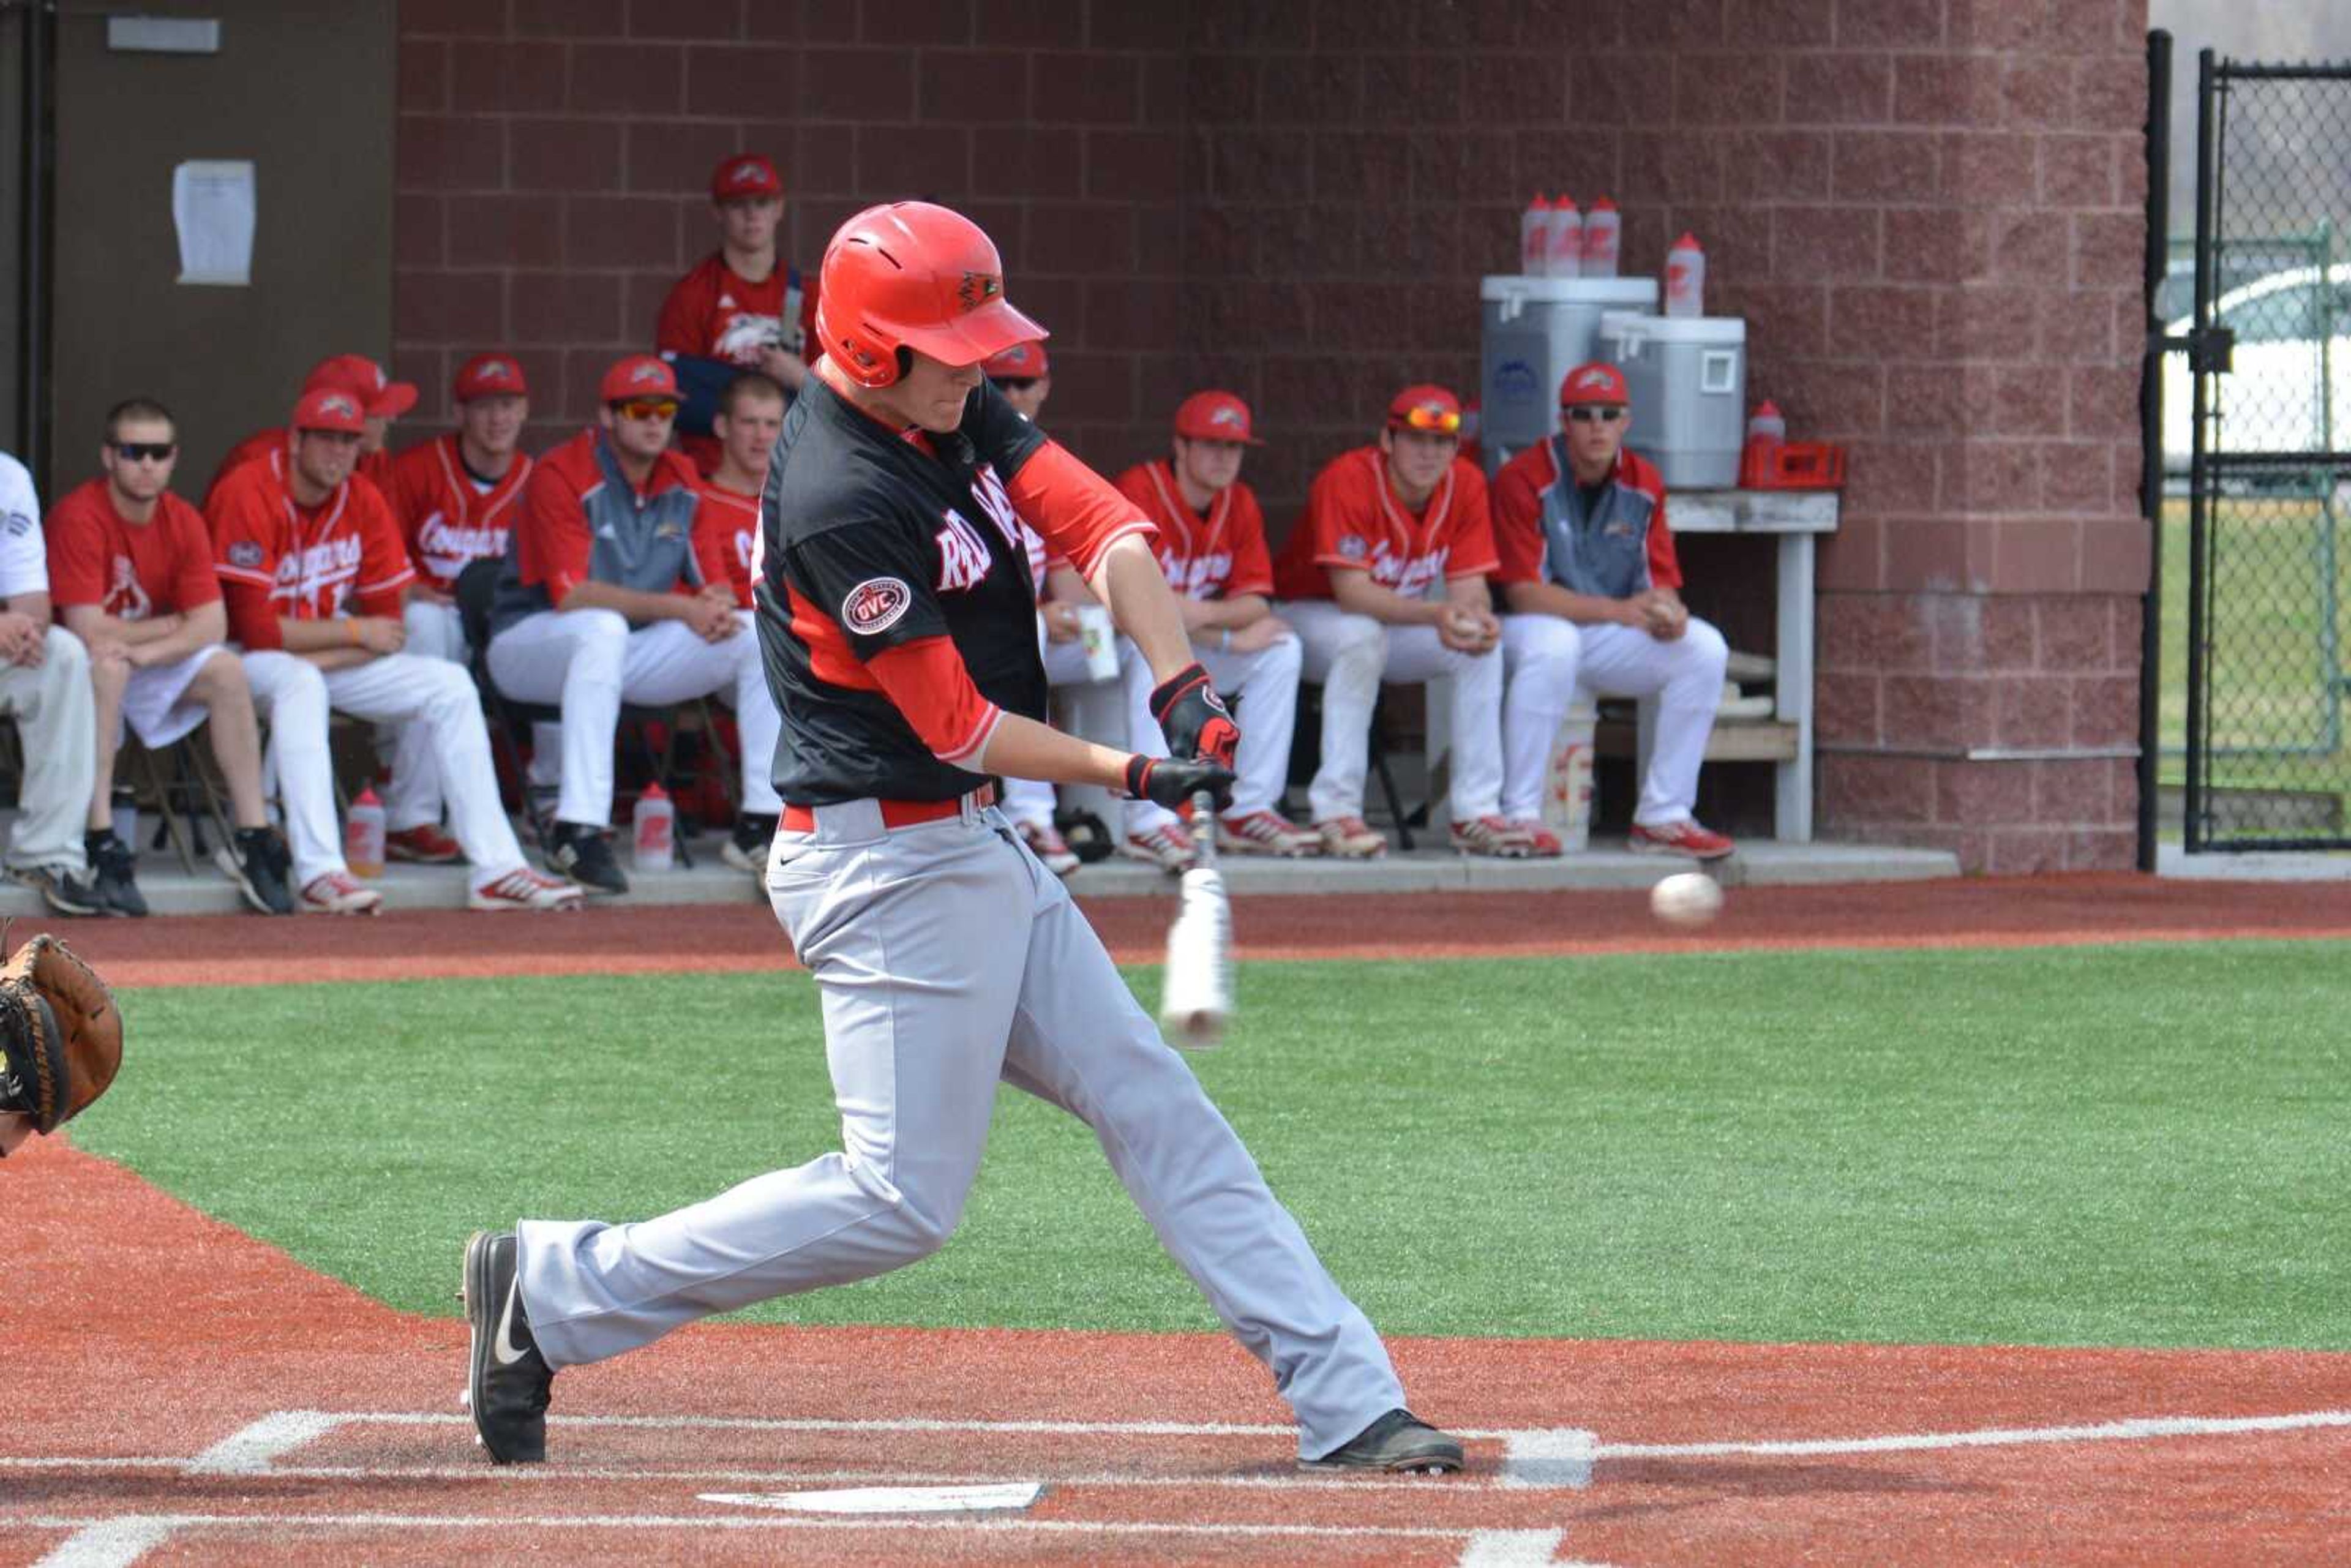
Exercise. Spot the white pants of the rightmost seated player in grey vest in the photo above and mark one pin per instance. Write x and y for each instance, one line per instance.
(1550, 657)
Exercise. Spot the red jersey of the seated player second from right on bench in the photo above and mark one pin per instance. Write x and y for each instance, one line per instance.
(1353, 521)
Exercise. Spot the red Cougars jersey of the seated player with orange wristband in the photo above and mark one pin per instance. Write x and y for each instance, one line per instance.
(312, 561)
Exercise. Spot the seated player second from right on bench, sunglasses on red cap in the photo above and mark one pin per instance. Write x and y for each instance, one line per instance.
(1386, 579)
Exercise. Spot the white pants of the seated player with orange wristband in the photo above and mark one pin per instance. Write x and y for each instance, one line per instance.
(431, 695)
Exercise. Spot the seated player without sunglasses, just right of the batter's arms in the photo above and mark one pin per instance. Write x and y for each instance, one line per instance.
(1212, 549)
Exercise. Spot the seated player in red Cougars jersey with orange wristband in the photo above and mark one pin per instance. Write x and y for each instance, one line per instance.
(314, 570)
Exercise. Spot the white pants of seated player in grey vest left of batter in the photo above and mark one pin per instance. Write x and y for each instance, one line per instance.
(589, 662)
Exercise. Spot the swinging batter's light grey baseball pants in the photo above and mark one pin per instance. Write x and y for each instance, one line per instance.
(913, 937)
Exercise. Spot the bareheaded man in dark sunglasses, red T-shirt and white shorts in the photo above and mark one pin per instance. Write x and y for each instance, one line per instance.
(130, 575)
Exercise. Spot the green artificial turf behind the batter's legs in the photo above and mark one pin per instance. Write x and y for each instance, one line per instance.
(2082, 1146)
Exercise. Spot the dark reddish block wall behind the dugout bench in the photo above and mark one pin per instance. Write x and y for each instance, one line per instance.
(1929, 210)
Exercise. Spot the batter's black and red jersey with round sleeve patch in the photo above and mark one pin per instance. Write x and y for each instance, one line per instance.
(904, 547)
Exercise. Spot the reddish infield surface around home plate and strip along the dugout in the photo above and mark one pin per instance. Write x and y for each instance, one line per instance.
(182, 1393)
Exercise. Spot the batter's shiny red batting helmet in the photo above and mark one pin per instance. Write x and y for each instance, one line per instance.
(913, 276)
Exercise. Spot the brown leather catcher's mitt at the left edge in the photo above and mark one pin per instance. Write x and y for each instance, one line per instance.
(60, 1033)
